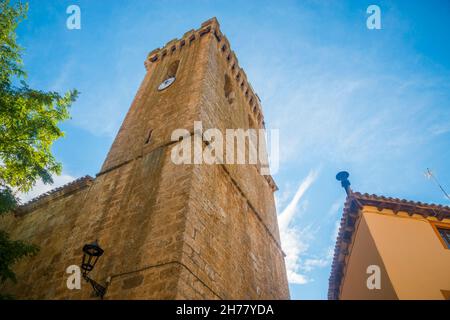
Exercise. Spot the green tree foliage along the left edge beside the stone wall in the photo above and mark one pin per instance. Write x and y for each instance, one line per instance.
(29, 121)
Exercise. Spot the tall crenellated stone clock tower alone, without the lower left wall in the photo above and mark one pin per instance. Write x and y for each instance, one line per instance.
(194, 231)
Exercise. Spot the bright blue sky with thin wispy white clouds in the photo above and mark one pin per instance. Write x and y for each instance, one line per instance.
(373, 102)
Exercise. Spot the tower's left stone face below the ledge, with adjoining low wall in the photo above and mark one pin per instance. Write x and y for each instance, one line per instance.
(136, 212)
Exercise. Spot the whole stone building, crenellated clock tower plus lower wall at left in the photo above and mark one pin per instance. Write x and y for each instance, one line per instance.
(168, 231)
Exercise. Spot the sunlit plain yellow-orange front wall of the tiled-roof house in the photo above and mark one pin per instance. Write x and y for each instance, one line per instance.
(416, 261)
